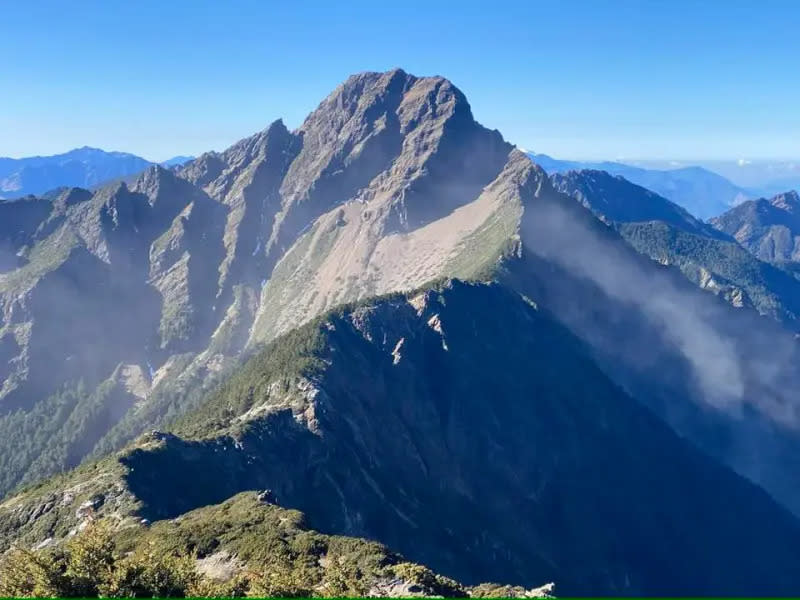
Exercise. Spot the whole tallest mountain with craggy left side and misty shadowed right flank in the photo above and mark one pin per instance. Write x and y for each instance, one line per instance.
(166, 284)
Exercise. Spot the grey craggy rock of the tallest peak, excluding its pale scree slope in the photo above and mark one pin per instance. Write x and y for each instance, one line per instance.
(261, 204)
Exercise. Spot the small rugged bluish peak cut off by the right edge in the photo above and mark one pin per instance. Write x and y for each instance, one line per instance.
(770, 229)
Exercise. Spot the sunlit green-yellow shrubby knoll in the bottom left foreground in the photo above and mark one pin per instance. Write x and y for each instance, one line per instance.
(241, 547)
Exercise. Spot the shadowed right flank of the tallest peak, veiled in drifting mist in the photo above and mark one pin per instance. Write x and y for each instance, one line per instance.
(724, 377)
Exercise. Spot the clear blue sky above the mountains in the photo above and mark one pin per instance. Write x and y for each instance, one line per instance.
(579, 79)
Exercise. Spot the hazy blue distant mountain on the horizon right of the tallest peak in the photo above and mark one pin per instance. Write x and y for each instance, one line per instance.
(703, 193)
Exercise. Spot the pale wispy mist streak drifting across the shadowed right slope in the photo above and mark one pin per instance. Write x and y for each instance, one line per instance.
(729, 351)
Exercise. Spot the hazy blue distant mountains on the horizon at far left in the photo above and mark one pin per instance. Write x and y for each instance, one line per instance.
(83, 167)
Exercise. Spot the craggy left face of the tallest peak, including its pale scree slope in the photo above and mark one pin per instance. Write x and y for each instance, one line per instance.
(178, 272)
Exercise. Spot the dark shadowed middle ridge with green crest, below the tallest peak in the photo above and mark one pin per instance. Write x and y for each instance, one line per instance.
(488, 448)
